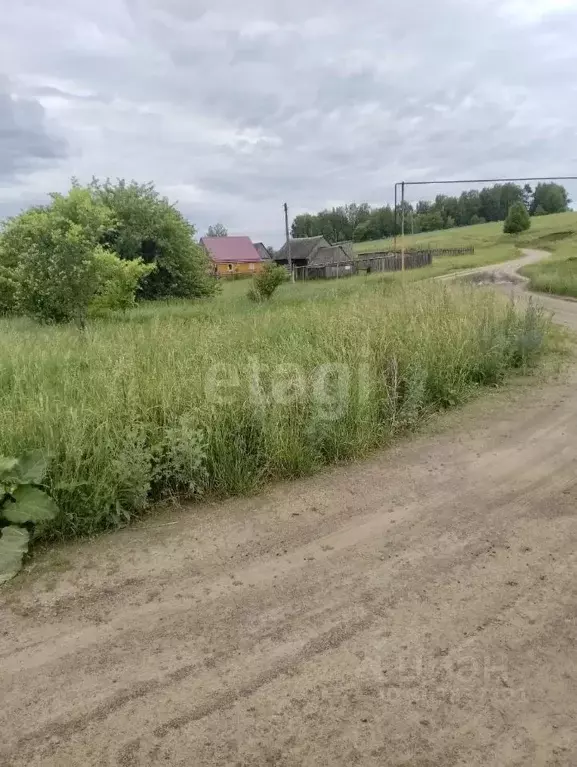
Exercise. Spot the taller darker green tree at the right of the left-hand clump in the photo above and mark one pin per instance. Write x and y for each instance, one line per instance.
(148, 227)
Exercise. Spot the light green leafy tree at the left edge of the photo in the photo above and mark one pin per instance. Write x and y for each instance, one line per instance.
(51, 251)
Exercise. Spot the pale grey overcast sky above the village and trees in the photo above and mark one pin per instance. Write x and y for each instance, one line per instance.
(233, 106)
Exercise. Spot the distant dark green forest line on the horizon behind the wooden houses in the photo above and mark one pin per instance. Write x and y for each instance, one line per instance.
(361, 222)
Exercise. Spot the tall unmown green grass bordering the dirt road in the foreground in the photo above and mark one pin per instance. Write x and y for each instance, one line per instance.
(217, 397)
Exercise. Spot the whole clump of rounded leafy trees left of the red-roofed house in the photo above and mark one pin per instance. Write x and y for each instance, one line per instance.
(98, 247)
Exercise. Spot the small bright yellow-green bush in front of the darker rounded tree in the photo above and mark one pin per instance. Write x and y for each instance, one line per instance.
(117, 280)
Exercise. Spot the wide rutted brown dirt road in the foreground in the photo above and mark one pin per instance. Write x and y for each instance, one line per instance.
(416, 609)
